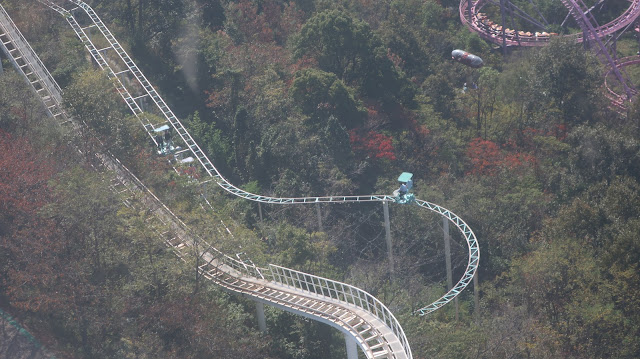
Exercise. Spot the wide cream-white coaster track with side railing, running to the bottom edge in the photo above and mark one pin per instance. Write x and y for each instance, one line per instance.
(332, 302)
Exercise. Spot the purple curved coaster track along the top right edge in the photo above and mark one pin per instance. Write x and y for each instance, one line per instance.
(492, 32)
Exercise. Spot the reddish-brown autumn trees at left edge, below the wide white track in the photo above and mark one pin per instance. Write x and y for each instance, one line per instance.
(27, 240)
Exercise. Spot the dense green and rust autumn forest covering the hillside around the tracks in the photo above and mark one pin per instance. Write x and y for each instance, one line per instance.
(313, 98)
